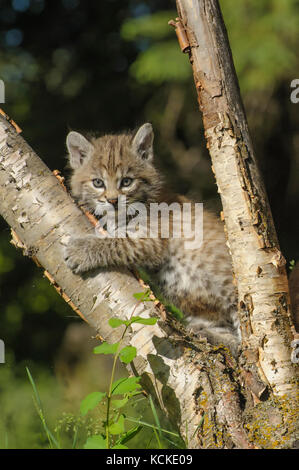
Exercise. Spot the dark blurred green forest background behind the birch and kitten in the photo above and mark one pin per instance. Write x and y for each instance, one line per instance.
(109, 66)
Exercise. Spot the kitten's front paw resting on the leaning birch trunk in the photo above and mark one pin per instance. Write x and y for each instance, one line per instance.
(76, 255)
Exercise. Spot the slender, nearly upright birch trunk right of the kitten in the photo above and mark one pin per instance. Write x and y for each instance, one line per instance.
(258, 264)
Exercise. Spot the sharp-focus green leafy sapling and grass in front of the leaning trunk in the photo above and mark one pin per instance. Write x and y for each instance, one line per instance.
(115, 434)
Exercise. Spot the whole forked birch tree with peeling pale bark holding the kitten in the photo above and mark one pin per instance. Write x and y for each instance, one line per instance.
(213, 402)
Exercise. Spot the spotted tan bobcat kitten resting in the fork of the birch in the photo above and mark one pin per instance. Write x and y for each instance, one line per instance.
(199, 280)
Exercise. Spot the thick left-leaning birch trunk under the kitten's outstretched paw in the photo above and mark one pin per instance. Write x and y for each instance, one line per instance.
(174, 369)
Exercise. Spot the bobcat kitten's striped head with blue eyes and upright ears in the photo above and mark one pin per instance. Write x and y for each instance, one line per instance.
(113, 166)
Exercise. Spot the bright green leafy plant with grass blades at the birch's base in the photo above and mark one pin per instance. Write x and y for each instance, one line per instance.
(112, 431)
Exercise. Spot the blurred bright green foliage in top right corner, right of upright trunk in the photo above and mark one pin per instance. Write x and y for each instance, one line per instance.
(263, 35)
